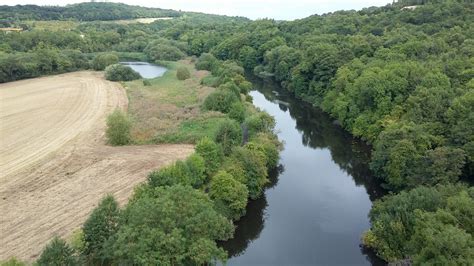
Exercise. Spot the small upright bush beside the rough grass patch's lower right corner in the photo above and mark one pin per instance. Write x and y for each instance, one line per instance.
(228, 134)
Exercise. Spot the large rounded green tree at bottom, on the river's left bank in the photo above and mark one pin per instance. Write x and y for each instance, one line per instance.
(172, 225)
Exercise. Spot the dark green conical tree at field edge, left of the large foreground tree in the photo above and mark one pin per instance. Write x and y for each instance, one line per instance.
(101, 225)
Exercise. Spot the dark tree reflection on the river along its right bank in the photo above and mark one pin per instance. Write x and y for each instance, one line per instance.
(320, 131)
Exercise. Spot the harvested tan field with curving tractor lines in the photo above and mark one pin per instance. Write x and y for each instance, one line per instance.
(54, 165)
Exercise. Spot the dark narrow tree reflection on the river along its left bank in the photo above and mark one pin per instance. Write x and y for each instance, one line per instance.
(249, 227)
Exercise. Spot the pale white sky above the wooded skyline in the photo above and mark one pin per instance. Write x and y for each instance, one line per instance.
(253, 9)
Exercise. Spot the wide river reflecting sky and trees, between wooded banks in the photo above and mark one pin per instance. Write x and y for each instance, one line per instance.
(315, 207)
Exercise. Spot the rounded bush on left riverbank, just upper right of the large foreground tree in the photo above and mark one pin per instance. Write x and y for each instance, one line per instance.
(229, 194)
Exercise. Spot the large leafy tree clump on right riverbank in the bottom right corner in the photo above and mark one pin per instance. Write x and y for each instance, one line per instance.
(423, 224)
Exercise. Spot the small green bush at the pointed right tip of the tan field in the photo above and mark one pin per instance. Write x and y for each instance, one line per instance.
(212, 154)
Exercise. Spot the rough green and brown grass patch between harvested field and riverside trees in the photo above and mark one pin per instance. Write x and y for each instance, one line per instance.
(168, 110)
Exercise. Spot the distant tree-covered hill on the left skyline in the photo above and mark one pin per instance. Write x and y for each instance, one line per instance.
(83, 12)
